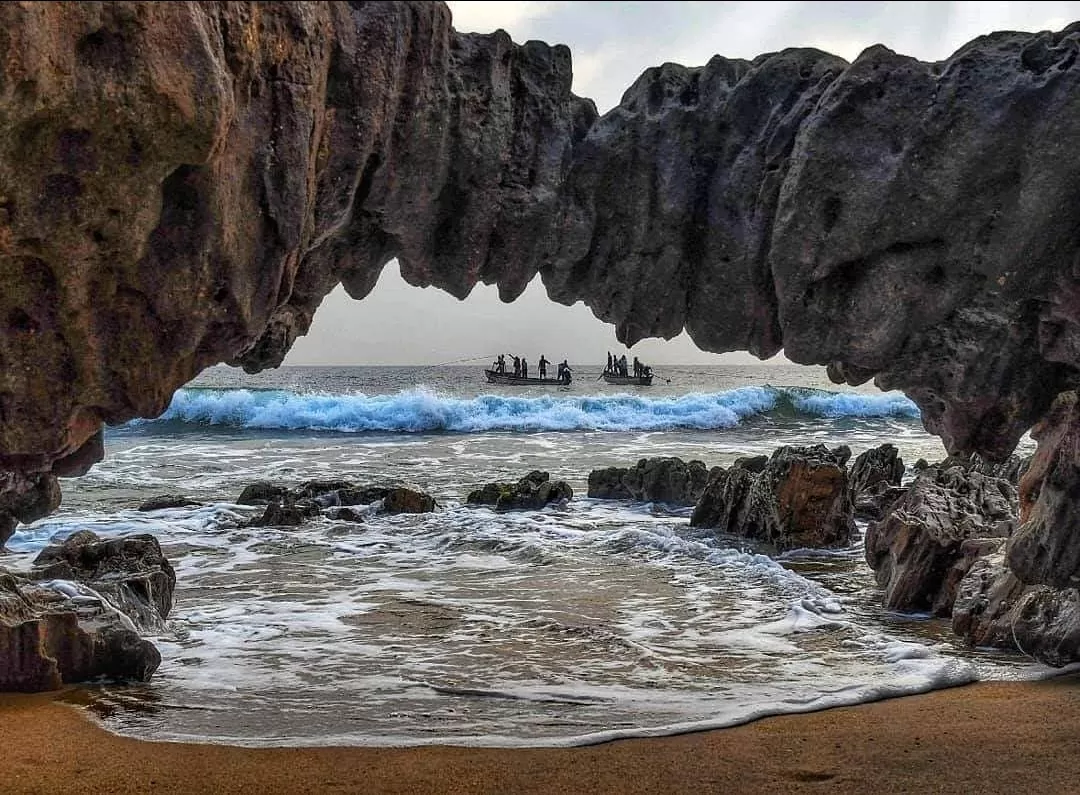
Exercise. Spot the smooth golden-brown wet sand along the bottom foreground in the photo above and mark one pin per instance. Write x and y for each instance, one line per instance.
(987, 738)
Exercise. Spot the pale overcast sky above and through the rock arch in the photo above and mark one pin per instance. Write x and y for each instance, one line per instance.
(613, 44)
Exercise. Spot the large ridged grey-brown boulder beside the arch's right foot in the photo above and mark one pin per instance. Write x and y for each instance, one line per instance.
(933, 535)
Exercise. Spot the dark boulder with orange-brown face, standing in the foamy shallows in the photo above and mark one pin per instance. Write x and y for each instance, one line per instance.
(801, 498)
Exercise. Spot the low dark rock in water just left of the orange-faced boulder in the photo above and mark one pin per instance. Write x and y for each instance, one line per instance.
(653, 480)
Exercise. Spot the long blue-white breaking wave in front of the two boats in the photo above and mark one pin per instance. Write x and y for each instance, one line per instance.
(417, 411)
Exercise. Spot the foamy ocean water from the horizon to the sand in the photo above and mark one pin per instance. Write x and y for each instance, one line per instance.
(573, 625)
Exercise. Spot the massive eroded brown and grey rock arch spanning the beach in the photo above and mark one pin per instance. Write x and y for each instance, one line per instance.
(182, 184)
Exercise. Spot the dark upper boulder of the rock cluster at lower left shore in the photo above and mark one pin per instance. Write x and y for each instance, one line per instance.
(131, 573)
